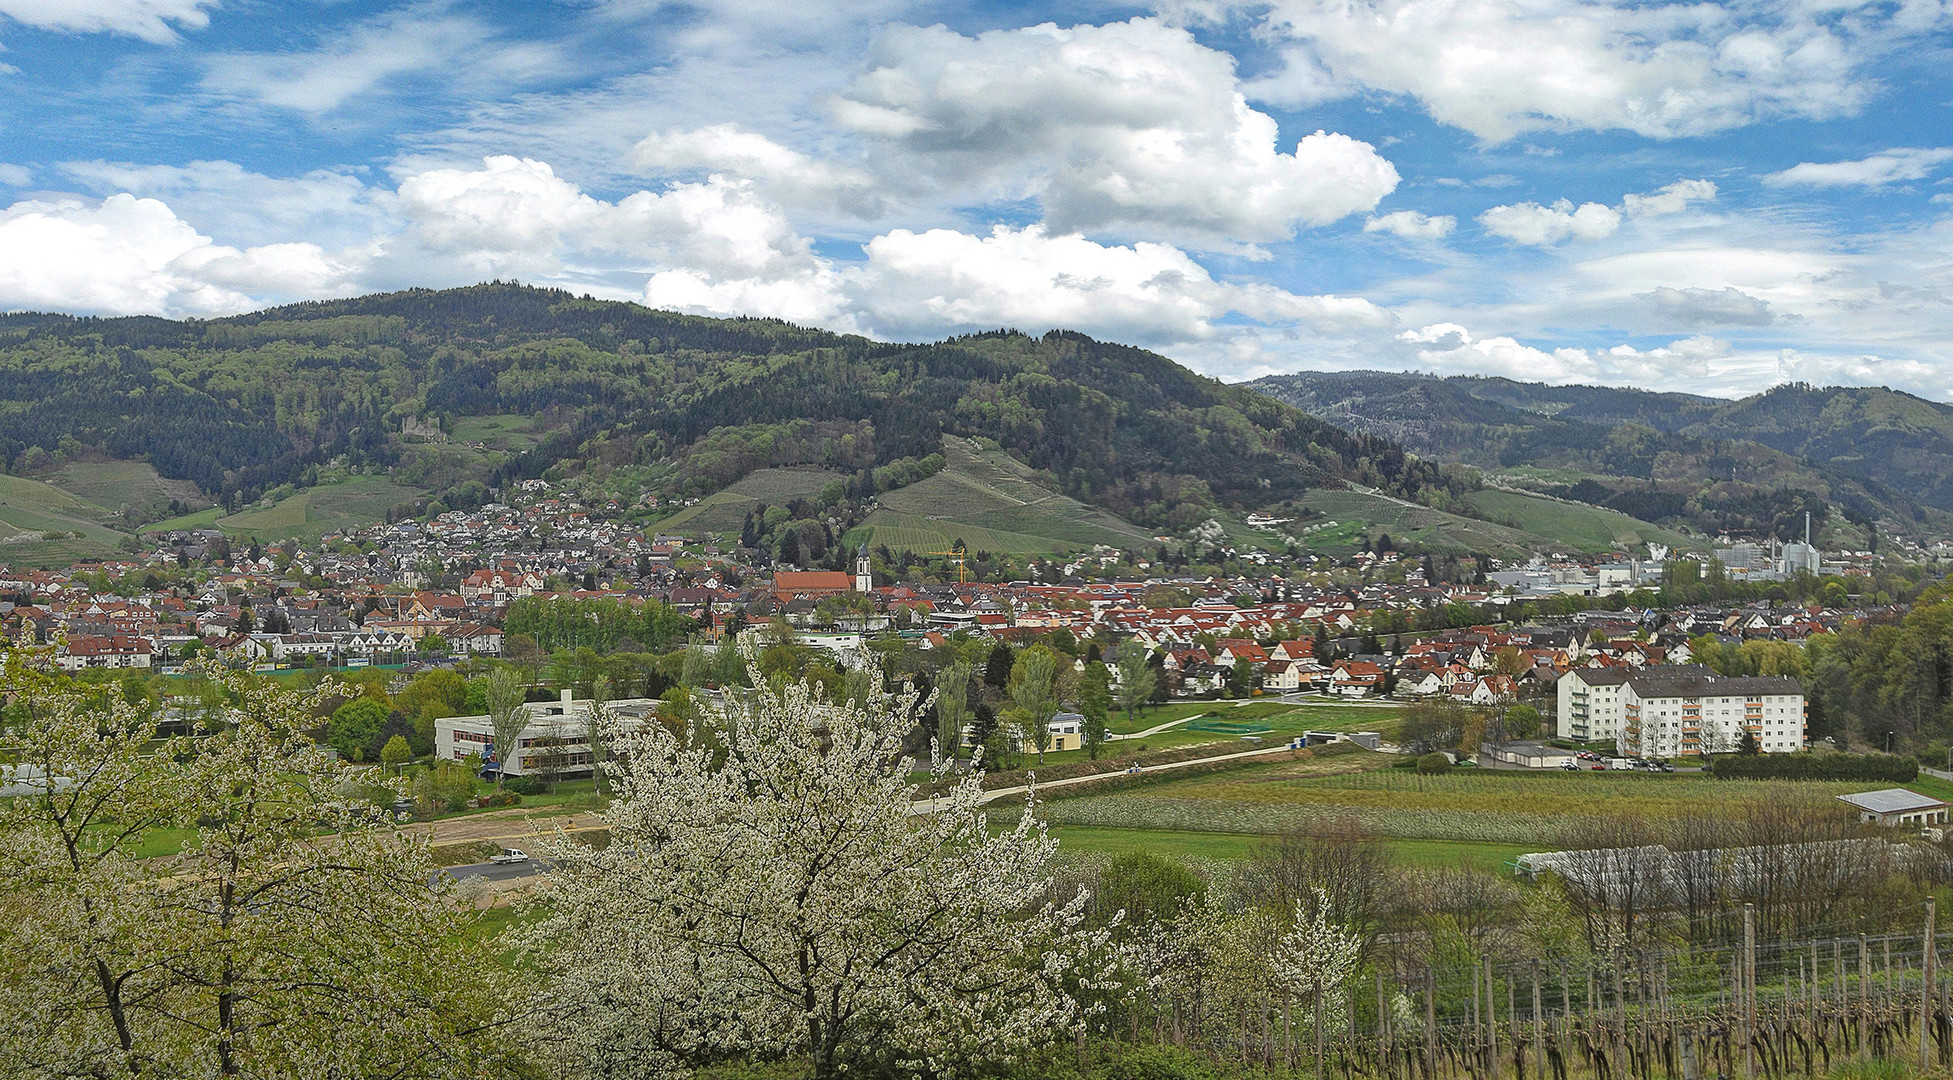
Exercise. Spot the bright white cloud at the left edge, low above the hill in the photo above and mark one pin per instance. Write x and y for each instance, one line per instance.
(136, 257)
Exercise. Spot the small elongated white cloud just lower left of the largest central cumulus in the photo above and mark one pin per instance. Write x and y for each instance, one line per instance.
(782, 171)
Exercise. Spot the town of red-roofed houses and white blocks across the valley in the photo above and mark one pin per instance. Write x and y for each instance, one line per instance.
(1579, 642)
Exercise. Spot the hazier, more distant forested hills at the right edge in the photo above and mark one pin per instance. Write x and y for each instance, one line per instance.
(1849, 454)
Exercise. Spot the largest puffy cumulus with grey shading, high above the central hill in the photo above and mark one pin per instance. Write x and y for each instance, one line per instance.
(1126, 126)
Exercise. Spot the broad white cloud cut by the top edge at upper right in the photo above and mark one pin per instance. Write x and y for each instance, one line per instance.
(1507, 67)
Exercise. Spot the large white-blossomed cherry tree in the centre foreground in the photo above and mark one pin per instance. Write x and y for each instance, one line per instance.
(778, 890)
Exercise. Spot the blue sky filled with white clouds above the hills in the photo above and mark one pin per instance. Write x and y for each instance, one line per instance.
(1681, 196)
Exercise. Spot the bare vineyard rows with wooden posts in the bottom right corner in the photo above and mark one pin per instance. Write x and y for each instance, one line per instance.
(1753, 1011)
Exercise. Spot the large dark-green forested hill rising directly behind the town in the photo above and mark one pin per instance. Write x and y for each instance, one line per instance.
(245, 405)
